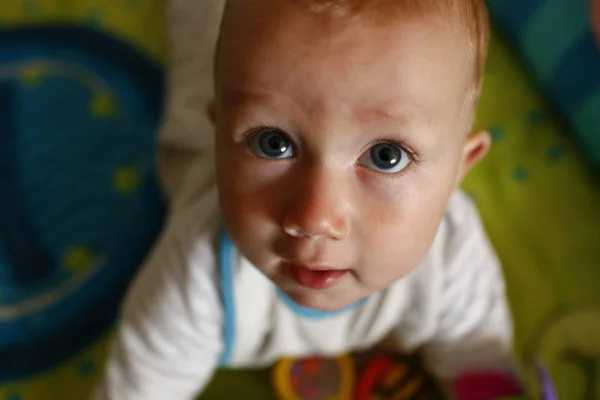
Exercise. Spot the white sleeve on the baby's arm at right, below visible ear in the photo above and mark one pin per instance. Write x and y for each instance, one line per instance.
(473, 329)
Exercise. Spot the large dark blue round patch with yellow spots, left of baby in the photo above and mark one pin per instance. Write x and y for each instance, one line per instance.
(79, 205)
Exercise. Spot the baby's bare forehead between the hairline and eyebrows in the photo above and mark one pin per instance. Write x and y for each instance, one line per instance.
(361, 67)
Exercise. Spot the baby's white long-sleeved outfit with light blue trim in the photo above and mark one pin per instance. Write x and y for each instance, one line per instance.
(197, 302)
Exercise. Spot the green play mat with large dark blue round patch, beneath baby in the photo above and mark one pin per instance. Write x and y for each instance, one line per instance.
(80, 99)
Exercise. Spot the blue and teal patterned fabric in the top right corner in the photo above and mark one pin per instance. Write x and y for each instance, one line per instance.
(554, 37)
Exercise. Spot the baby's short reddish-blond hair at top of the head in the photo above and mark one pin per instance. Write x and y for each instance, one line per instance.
(465, 19)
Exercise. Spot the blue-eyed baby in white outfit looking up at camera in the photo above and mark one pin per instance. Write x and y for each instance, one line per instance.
(327, 214)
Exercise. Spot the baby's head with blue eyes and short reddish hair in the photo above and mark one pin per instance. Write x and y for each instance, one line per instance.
(343, 126)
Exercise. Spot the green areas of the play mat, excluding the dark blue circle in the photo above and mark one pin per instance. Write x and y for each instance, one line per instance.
(539, 200)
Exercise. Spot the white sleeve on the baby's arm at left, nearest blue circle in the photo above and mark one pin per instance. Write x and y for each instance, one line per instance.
(169, 337)
